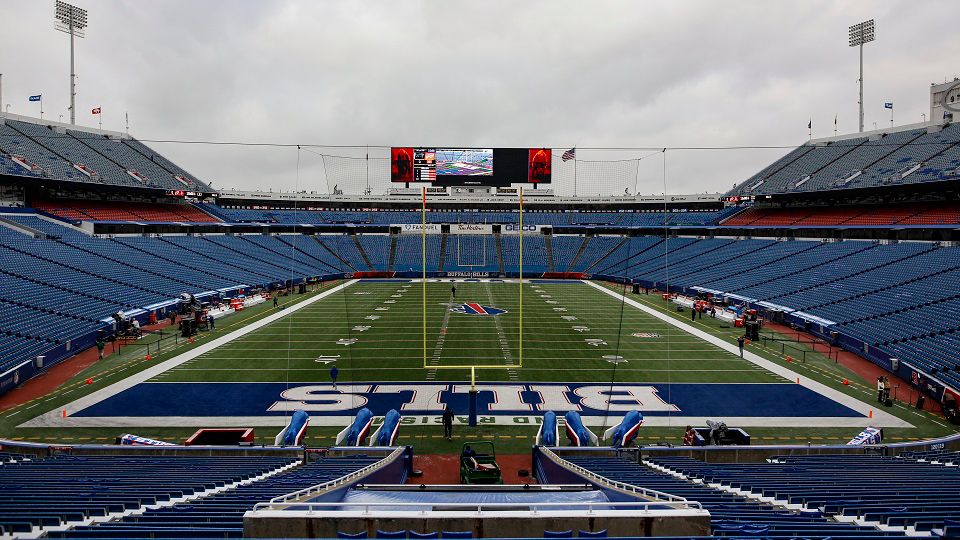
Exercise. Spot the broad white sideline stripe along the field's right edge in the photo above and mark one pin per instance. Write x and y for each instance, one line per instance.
(879, 416)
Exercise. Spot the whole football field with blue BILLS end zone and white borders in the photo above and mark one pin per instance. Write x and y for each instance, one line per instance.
(397, 344)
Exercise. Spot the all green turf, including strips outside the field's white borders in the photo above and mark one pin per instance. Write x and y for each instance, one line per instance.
(392, 350)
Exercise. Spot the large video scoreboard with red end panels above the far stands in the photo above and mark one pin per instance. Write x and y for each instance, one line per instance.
(471, 166)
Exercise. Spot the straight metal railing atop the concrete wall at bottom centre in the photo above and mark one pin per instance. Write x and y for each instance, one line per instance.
(480, 509)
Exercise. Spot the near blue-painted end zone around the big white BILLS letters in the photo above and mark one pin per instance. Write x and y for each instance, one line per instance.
(255, 399)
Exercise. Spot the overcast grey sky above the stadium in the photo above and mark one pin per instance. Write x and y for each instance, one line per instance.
(595, 74)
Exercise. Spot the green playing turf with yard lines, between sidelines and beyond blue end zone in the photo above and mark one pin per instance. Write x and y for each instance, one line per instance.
(392, 348)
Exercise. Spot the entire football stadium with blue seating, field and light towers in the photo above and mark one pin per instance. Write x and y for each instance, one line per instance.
(456, 341)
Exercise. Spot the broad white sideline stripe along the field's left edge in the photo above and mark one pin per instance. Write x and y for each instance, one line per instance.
(53, 418)
